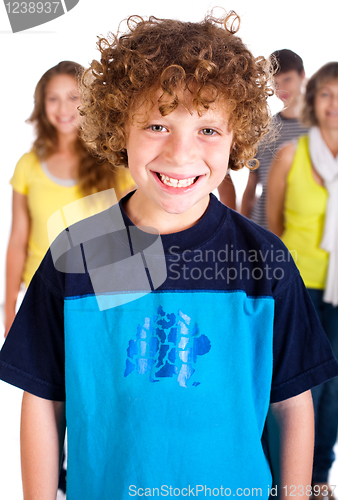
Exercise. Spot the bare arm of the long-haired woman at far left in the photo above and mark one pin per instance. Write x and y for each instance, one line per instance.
(16, 255)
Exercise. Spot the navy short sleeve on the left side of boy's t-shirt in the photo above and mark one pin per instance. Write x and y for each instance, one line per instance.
(32, 357)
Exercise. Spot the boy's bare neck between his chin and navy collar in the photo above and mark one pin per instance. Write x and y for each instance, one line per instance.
(144, 214)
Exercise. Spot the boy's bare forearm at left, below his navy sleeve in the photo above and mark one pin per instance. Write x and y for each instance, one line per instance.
(42, 436)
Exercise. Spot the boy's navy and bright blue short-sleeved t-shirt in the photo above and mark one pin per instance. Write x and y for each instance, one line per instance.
(168, 352)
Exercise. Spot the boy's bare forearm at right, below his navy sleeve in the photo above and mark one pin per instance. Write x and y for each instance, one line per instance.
(290, 426)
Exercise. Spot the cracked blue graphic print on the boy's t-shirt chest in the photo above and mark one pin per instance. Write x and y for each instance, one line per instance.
(166, 345)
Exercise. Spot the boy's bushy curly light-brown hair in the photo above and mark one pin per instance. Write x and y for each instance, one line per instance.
(205, 58)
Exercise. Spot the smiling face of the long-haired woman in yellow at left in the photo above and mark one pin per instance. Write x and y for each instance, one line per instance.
(61, 101)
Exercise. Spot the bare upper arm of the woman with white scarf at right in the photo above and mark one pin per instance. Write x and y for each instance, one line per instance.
(276, 188)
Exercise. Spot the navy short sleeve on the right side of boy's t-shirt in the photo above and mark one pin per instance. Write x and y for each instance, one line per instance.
(302, 356)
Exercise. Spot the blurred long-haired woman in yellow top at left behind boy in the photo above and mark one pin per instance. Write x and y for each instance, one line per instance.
(57, 171)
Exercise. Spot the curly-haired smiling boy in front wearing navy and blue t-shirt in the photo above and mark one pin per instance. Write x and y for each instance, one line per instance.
(173, 353)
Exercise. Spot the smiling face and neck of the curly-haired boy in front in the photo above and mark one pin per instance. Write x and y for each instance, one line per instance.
(176, 161)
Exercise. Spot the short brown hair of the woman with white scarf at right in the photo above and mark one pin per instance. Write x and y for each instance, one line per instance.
(326, 73)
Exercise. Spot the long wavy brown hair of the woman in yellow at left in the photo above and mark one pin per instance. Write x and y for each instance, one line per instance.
(92, 174)
